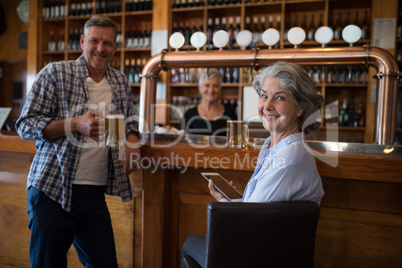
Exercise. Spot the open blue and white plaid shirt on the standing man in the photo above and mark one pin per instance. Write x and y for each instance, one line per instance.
(59, 92)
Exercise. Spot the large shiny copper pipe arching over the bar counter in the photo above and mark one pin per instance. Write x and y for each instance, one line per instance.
(384, 63)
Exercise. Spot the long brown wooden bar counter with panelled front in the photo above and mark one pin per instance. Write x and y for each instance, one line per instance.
(360, 222)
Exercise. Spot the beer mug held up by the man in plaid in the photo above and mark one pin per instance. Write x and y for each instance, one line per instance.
(115, 134)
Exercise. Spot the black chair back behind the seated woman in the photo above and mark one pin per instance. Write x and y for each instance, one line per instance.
(274, 234)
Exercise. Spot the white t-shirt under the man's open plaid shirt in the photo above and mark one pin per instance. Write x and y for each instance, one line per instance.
(93, 165)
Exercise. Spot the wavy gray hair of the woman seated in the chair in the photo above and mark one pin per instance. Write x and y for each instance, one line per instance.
(296, 81)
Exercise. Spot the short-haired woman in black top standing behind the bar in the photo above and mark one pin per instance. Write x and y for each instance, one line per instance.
(208, 117)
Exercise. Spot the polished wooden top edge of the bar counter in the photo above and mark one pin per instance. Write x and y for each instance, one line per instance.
(347, 165)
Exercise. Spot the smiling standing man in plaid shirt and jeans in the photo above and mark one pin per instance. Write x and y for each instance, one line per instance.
(73, 167)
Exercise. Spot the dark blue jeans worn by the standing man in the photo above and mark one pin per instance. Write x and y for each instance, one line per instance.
(87, 226)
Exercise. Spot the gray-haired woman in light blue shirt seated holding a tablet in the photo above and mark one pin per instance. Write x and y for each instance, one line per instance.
(286, 170)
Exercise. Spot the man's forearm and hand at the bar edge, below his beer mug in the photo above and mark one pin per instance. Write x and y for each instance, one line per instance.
(132, 154)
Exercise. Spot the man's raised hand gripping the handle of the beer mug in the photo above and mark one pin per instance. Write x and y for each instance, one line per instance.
(89, 124)
